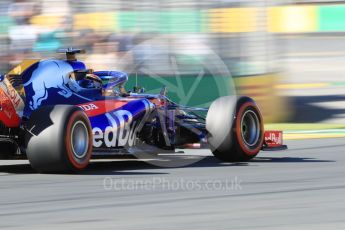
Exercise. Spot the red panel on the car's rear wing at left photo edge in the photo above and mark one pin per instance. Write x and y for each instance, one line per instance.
(8, 114)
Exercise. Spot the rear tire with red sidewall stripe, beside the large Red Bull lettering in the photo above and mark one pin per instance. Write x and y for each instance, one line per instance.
(58, 139)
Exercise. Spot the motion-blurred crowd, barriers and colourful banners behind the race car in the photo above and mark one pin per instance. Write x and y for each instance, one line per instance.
(288, 55)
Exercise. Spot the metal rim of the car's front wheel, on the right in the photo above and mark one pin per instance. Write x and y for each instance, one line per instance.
(250, 128)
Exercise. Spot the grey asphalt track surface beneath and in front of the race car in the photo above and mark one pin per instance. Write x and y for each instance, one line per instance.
(302, 188)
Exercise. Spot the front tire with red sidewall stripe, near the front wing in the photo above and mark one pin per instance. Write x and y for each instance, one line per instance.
(235, 128)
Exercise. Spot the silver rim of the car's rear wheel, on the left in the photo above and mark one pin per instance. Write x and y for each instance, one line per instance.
(79, 139)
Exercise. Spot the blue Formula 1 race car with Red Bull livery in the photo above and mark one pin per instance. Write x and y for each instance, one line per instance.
(58, 114)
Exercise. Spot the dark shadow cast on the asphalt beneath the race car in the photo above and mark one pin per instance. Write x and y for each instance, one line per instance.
(128, 165)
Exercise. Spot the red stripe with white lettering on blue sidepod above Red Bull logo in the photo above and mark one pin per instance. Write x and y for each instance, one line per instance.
(96, 108)
